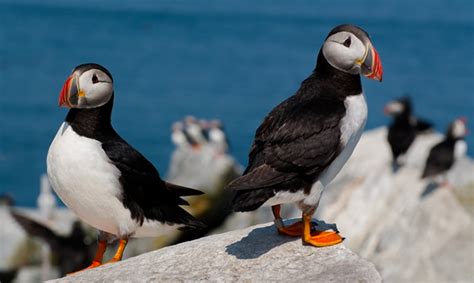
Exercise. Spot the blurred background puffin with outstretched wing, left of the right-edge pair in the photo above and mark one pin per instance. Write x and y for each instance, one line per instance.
(404, 127)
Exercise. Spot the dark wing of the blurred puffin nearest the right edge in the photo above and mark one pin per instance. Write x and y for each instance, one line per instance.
(439, 160)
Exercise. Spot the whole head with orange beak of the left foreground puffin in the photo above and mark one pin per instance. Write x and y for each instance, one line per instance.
(89, 86)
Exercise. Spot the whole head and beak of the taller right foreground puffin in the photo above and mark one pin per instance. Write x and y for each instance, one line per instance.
(349, 49)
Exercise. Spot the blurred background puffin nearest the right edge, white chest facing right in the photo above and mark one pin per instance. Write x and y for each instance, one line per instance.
(443, 155)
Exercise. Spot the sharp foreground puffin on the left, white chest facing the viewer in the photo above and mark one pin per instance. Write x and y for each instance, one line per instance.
(104, 180)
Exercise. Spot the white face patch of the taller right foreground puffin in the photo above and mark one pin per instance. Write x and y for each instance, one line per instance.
(343, 50)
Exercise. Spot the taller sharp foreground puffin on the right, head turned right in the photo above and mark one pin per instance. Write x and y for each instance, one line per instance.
(304, 142)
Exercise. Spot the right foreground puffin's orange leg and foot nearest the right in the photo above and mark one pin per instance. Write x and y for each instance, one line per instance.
(321, 238)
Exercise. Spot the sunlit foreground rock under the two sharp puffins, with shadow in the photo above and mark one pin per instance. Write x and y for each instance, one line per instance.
(254, 254)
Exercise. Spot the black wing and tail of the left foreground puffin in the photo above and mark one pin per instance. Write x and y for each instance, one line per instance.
(144, 192)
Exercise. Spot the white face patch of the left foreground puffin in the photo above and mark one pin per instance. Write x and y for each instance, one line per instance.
(97, 88)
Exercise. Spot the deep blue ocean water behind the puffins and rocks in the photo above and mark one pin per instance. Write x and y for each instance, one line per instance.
(231, 60)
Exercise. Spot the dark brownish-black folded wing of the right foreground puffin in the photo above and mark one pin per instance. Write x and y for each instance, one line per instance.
(298, 138)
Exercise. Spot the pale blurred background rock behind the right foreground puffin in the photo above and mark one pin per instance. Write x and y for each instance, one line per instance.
(411, 231)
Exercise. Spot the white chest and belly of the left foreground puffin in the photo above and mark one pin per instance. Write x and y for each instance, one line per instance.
(86, 180)
